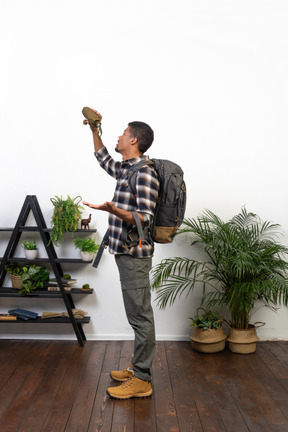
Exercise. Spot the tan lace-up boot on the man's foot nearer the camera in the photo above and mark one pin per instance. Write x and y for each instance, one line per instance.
(134, 387)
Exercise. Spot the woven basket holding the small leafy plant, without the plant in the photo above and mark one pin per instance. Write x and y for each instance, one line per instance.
(208, 341)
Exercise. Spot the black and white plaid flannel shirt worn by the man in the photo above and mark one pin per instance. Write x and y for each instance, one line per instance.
(147, 186)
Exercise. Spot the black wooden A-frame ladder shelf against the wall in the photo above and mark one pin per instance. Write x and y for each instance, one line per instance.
(31, 204)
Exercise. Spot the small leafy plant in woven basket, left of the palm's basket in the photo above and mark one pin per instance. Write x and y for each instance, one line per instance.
(208, 335)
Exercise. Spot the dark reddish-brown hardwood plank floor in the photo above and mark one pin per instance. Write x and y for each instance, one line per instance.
(59, 386)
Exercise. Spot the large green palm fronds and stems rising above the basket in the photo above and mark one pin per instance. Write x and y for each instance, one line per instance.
(244, 265)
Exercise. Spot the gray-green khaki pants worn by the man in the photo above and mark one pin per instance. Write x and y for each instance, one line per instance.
(136, 290)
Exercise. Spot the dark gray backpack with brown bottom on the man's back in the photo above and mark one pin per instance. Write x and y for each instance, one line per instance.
(171, 205)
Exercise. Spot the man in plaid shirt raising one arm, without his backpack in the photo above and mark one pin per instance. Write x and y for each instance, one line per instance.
(134, 263)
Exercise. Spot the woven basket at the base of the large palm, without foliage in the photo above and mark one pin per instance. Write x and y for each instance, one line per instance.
(241, 341)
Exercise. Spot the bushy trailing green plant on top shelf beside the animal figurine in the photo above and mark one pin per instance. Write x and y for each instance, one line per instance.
(66, 216)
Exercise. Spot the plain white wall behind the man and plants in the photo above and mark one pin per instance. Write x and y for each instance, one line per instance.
(209, 76)
